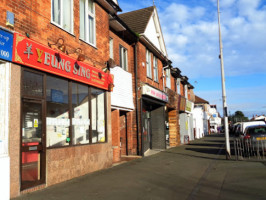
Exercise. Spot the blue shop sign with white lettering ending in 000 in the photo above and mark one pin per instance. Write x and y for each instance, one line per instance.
(6, 44)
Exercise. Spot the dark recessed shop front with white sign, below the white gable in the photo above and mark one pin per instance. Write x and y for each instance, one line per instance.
(153, 118)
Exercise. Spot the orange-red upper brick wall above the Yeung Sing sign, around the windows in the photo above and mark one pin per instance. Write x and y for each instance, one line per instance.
(34, 17)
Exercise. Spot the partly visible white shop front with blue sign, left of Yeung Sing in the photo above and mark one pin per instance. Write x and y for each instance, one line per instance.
(6, 43)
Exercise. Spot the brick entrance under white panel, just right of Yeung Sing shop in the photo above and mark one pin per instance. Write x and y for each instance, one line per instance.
(122, 114)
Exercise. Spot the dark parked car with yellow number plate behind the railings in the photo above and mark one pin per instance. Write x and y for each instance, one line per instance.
(257, 136)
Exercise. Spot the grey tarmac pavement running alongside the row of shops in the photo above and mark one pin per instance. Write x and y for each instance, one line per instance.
(198, 170)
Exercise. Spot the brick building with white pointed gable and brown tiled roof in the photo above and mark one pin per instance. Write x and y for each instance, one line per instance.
(151, 63)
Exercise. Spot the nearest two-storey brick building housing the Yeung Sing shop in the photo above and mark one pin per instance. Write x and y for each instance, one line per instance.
(58, 91)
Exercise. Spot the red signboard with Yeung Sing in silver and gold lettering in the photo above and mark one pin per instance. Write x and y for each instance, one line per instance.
(33, 54)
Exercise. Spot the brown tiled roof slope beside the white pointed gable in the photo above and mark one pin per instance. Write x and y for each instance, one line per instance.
(137, 20)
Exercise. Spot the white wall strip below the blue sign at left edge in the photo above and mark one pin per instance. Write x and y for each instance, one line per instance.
(4, 122)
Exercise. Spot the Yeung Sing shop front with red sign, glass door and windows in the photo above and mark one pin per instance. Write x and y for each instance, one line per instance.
(63, 111)
